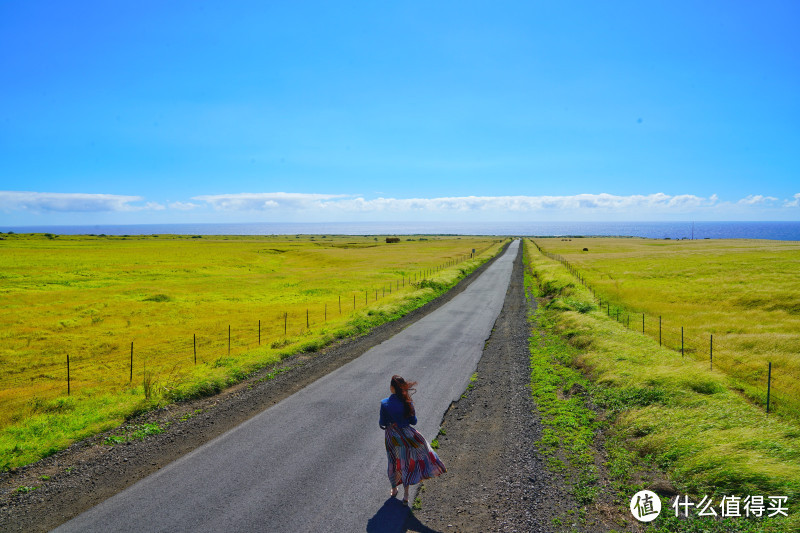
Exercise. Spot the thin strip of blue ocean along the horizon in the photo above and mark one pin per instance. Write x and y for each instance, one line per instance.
(783, 231)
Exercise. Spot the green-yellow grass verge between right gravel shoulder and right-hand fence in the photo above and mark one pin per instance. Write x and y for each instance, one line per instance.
(613, 400)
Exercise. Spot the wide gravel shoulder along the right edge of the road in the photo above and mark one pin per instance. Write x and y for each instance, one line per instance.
(496, 480)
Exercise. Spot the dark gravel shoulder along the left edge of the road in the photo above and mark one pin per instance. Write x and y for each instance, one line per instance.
(88, 472)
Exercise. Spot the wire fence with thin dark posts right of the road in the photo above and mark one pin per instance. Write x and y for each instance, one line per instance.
(766, 383)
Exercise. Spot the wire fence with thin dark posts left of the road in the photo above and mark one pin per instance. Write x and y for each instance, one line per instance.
(137, 363)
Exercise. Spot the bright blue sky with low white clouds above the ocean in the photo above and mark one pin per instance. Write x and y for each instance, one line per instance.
(136, 112)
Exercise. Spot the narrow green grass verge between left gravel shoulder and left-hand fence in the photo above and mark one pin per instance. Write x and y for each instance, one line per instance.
(54, 424)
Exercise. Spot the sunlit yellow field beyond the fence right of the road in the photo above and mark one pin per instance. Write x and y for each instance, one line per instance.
(746, 293)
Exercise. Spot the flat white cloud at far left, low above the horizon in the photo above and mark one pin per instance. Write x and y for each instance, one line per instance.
(70, 202)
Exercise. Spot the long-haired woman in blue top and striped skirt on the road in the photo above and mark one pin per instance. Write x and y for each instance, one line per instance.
(411, 458)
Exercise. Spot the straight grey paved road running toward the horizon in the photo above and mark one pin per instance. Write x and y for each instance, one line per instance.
(316, 460)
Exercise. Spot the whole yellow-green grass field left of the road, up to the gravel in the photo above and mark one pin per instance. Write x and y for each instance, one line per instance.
(91, 297)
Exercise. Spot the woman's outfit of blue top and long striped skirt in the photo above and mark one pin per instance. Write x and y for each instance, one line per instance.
(411, 458)
